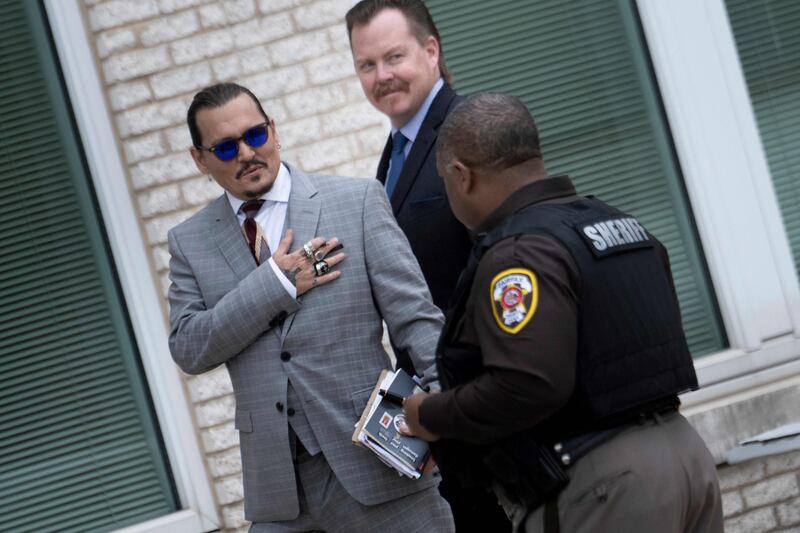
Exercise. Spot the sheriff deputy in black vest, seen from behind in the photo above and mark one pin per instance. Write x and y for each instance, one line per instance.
(563, 353)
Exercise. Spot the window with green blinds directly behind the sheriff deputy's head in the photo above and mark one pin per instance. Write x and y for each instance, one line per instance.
(583, 70)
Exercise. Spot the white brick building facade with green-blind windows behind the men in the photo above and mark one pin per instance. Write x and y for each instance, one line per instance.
(684, 113)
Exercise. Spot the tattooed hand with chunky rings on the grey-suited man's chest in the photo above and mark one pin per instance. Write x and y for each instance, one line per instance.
(300, 269)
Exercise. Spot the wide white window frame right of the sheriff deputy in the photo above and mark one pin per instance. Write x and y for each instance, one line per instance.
(730, 188)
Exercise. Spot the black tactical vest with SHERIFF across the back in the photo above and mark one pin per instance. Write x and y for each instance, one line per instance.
(632, 354)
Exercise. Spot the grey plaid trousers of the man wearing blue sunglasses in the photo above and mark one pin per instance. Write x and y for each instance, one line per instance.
(326, 506)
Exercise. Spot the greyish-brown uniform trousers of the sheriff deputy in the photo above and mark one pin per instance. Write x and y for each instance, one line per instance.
(657, 477)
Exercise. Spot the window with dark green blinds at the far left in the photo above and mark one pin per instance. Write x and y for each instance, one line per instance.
(80, 446)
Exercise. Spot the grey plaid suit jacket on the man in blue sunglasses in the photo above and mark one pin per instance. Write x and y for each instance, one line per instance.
(225, 309)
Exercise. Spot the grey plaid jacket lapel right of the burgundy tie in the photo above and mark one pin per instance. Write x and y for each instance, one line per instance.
(302, 217)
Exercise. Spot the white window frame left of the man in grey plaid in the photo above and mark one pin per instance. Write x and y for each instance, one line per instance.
(107, 171)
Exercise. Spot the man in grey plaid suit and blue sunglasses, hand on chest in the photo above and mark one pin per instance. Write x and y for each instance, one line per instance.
(300, 332)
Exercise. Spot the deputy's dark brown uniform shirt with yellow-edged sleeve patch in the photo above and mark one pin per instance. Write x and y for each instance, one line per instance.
(522, 315)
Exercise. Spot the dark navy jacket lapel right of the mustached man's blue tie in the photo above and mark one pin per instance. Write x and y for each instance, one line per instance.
(422, 146)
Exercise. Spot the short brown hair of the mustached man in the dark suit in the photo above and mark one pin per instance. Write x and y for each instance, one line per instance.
(419, 20)
